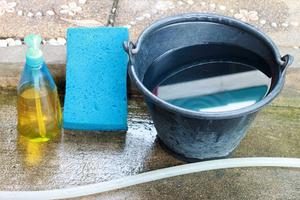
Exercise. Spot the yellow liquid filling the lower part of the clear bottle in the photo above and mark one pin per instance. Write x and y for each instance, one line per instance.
(39, 114)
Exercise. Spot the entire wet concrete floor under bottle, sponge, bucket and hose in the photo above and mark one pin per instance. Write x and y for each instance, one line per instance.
(80, 158)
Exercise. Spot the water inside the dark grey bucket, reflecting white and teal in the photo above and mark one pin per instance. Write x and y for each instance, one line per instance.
(214, 85)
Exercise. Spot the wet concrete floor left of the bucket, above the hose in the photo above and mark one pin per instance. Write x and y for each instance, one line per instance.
(77, 158)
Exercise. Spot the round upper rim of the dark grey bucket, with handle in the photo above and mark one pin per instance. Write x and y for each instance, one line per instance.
(215, 18)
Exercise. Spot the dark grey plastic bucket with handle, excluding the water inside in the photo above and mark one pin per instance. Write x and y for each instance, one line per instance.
(202, 135)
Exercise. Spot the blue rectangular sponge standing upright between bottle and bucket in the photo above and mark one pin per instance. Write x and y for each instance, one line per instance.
(96, 73)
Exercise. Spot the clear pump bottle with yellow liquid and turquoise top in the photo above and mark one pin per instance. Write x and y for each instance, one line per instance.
(39, 111)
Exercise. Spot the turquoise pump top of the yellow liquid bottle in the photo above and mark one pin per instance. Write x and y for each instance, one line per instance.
(34, 55)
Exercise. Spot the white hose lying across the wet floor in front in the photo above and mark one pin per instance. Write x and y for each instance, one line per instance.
(97, 188)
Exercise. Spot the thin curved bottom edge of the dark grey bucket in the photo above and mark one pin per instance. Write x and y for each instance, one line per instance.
(186, 159)
